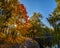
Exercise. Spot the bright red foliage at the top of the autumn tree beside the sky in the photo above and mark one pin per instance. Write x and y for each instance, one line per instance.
(23, 13)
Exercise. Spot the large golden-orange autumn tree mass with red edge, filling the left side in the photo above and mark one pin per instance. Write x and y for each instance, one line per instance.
(13, 21)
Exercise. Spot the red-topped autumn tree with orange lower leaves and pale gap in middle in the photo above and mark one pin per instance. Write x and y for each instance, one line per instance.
(22, 20)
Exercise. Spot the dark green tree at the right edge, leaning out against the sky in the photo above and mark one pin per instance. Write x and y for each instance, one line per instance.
(54, 20)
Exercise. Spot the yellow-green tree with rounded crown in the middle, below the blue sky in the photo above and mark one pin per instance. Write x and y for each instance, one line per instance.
(36, 24)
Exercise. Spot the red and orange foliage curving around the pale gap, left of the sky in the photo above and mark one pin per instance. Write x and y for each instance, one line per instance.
(23, 14)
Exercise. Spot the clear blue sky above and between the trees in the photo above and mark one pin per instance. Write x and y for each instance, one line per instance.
(45, 7)
